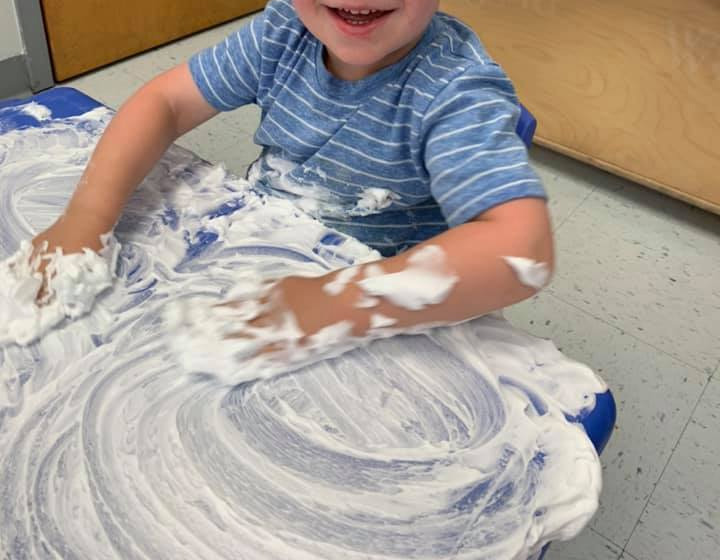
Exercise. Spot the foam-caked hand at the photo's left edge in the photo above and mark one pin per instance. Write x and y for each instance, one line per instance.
(69, 284)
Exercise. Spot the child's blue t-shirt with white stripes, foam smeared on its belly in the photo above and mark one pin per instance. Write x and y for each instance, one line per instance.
(392, 159)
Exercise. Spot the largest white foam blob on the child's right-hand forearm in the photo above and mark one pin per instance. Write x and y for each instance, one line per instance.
(425, 281)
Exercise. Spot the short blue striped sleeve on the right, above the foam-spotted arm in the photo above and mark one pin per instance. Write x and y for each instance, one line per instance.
(473, 155)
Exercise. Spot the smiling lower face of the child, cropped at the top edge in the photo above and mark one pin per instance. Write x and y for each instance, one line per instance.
(360, 44)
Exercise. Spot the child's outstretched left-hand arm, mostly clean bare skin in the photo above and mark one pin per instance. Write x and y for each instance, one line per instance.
(136, 138)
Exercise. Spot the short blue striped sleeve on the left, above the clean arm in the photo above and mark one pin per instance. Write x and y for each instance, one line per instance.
(228, 74)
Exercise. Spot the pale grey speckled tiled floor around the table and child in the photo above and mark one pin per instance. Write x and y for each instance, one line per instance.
(637, 297)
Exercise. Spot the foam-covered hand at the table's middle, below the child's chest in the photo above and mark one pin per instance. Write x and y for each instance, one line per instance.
(263, 326)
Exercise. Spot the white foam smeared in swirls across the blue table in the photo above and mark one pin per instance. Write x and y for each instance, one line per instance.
(453, 442)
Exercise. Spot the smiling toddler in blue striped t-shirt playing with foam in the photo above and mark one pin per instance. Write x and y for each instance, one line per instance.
(385, 119)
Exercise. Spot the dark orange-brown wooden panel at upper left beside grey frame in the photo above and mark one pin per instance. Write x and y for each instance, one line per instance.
(87, 34)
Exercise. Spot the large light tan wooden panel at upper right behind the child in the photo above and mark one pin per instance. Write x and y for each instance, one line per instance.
(632, 86)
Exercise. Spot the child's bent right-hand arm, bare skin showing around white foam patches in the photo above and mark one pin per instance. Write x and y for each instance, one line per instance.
(474, 254)
